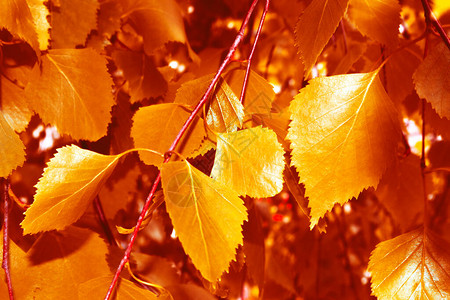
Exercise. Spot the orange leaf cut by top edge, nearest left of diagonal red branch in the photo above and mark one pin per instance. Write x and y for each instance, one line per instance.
(157, 21)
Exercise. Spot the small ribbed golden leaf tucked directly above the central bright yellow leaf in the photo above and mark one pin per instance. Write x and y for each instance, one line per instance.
(226, 112)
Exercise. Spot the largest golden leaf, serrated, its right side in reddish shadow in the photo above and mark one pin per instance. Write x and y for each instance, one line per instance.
(343, 134)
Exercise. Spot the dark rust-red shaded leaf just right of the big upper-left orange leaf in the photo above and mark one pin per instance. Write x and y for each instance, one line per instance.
(140, 71)
